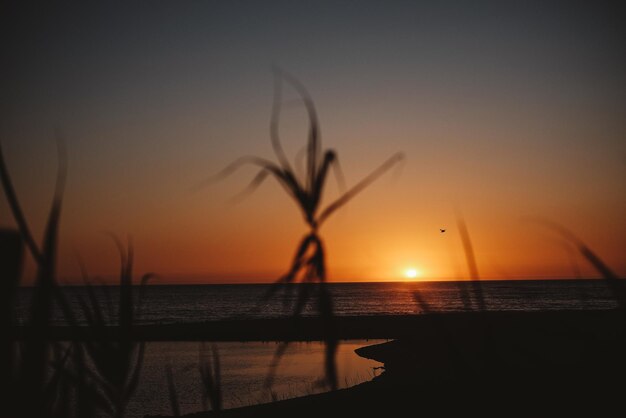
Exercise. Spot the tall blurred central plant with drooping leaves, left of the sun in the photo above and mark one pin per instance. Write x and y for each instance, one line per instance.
(308, 265)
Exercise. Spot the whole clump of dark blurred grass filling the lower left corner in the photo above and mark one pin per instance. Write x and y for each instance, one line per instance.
(89, 375)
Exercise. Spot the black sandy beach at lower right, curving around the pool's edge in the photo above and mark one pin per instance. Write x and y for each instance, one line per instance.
(498, 364)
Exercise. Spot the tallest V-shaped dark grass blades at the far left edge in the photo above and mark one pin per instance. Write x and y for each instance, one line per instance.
(30, 392)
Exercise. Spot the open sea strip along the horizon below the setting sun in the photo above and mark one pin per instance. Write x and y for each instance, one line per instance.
(197, 303)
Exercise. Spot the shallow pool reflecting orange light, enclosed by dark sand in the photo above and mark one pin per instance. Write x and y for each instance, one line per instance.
(244, 369)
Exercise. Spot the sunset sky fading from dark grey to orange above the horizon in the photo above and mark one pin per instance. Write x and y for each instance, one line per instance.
(505, 111)
